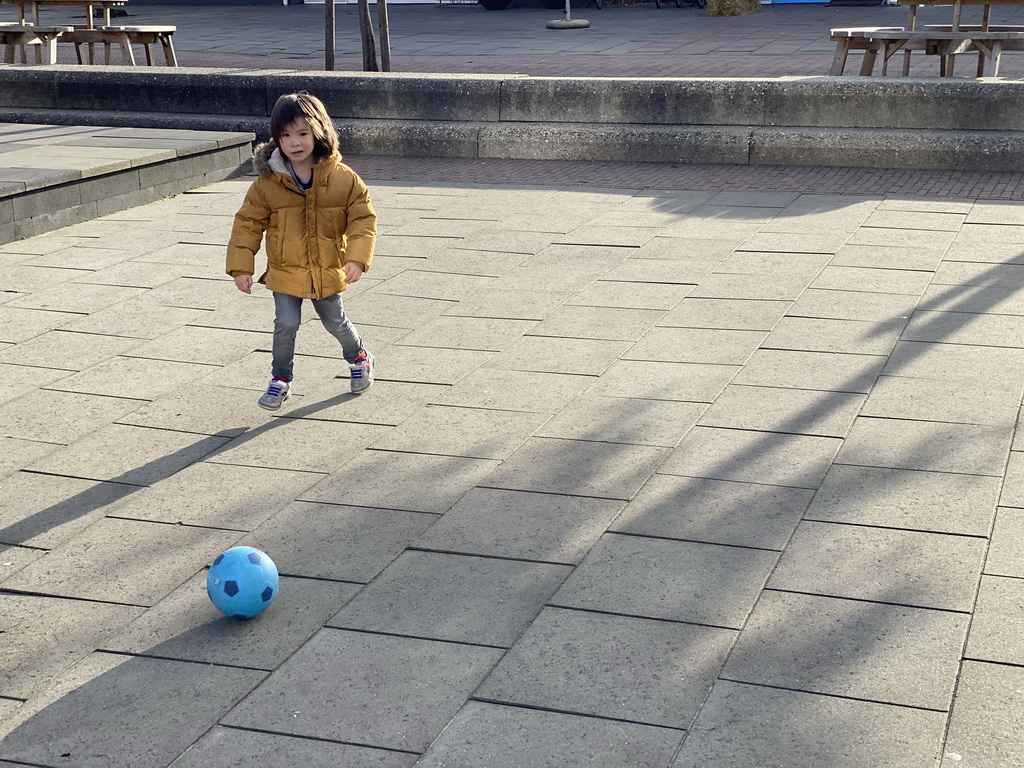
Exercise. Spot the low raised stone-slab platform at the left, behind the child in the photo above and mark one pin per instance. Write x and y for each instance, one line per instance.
(57, 176)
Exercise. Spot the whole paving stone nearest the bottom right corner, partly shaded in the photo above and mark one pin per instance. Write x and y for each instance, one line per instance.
(852, 649)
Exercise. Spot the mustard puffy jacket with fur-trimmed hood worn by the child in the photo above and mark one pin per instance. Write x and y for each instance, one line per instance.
(309, 237)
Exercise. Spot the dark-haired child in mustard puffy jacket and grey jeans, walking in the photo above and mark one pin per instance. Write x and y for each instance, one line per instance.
(321, 230)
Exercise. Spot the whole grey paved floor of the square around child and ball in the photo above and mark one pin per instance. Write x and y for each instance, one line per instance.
(697, 544)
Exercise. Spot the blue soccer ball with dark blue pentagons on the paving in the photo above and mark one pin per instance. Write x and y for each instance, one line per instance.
(242, 583)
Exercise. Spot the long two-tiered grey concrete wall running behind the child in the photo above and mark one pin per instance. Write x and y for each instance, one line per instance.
(866, 122)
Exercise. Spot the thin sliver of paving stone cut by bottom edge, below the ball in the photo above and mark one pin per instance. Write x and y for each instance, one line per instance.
(226, 748)
